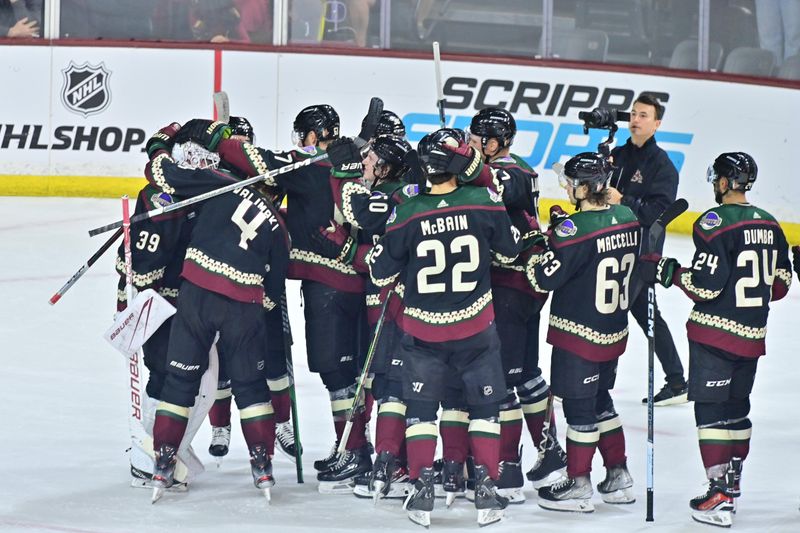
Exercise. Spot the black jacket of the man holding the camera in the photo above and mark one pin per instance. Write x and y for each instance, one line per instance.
(646, 178)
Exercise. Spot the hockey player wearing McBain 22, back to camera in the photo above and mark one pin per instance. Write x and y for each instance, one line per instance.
(438, 246)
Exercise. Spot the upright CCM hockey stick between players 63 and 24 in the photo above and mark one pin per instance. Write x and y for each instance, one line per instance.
(654, 237)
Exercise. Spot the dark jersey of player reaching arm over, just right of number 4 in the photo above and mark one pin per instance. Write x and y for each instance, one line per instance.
(310, 197)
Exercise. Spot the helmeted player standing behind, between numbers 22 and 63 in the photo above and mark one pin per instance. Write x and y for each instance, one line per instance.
(517, 307)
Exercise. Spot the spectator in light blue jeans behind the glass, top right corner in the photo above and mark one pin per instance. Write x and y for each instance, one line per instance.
(779, 27)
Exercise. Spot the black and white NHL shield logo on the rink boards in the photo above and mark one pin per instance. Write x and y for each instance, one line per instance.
(86, 90)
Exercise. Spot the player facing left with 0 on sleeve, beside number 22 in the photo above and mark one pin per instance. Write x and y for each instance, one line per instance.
(367, 206)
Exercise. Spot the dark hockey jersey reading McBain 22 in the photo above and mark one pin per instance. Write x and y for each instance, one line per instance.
(439, 248)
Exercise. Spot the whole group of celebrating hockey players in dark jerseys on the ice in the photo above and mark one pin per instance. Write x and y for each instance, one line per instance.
(440, 252)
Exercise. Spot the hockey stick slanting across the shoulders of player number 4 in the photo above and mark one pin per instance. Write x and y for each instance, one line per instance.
(373, 115)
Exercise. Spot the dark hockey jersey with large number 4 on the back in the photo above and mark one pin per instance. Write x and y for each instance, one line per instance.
(239, 246)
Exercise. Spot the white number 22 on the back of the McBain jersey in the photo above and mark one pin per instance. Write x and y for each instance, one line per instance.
(437, 248)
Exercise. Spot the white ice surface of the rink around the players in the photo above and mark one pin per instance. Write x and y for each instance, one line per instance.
(63, 426)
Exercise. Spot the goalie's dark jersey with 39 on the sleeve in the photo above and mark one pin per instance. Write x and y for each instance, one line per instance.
(158, 245)
